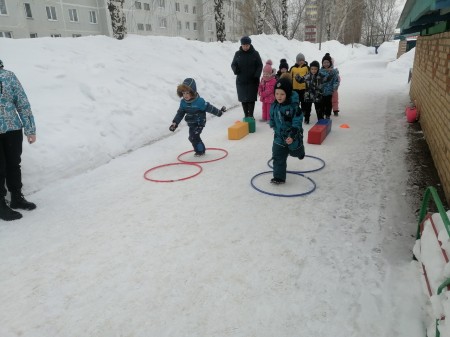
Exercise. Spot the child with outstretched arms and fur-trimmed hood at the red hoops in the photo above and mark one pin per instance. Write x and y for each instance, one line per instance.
(193, 109)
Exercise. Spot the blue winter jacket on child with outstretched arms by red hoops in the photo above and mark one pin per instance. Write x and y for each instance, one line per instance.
(194, 111)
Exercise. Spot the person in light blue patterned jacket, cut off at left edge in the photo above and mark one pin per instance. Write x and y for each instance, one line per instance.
(15, 115)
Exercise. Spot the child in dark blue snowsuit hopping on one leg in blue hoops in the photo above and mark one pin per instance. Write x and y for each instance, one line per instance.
(286, 120)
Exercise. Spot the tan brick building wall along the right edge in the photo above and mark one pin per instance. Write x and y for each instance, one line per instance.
(430, 89)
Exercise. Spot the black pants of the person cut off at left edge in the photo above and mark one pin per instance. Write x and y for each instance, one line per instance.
(10, 158)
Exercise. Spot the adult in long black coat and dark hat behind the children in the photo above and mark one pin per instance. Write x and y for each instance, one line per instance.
(247, 65)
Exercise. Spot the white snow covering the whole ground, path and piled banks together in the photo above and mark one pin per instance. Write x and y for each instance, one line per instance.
(109, 253)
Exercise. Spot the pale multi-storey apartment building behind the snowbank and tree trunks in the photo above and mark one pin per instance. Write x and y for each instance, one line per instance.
(191, 19)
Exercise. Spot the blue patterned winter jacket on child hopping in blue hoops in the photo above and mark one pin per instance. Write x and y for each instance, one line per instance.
(286, 120)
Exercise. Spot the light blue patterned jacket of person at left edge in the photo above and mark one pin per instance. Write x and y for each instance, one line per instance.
(15, 110)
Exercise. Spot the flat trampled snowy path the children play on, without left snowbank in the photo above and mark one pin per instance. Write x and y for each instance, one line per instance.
(110, 254)
